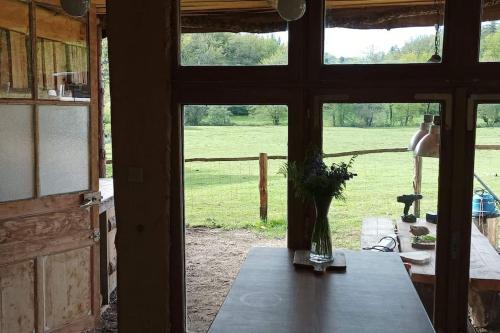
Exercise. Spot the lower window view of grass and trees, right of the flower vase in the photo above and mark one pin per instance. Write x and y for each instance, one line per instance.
(387, 172)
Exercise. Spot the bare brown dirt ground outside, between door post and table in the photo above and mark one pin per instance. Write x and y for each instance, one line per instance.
(213, 259)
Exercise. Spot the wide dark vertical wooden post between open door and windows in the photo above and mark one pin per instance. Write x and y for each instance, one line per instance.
(145, 150)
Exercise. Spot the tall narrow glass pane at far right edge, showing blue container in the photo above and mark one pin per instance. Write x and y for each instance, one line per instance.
(484, 280)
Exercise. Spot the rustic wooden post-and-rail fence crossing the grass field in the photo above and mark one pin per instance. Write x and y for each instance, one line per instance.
(263, 159)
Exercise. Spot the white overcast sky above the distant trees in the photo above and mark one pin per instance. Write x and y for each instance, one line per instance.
(350, 42)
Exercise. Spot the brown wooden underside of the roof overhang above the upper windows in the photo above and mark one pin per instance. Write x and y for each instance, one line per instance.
(261, 15)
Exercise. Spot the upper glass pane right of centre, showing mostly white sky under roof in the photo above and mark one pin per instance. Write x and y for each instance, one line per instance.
(362, 32)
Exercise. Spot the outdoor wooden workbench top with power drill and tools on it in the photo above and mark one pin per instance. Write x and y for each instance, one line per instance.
(484, 264)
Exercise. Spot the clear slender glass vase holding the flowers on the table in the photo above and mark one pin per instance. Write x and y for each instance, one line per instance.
(321, 240)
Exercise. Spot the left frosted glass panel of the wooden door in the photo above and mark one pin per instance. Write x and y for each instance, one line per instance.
(16, 152)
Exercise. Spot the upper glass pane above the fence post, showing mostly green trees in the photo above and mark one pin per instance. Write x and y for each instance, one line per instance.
(232, 33)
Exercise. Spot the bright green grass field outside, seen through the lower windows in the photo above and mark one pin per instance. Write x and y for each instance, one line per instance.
(226, 195)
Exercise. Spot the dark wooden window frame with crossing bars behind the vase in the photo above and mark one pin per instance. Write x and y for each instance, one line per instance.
(305, 82)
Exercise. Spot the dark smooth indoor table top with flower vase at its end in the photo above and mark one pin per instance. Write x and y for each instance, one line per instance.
(374, 295)
